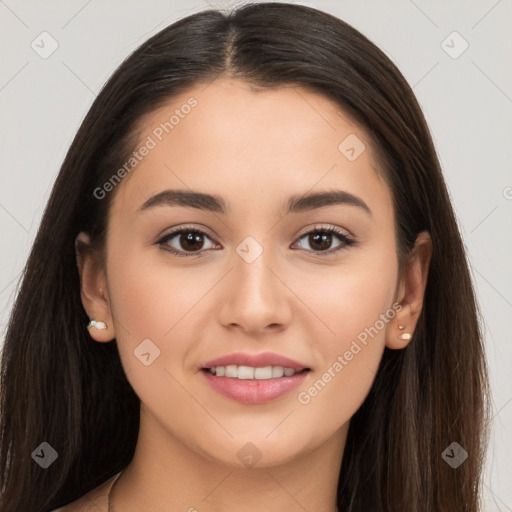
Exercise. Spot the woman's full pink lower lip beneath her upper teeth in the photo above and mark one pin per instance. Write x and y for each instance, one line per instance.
(254, 392)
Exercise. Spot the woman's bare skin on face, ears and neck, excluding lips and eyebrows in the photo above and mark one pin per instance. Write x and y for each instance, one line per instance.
(254, 149)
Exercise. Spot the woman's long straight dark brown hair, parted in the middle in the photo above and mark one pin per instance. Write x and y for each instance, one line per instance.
(59, 387)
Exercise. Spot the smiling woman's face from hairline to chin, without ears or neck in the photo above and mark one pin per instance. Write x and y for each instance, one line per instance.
(257, 274)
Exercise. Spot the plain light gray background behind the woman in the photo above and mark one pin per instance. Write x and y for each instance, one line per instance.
(467, 102)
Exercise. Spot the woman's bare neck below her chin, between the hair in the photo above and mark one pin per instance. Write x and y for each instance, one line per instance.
(164, 474)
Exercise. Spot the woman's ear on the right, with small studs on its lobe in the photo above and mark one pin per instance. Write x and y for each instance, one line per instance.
(411, 291)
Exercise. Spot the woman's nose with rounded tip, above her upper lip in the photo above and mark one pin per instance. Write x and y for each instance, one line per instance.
(255, 298)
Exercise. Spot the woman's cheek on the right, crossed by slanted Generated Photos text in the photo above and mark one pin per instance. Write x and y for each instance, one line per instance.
(356, 303)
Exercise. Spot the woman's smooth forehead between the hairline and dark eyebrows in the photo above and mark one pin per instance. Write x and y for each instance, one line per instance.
(226, 137)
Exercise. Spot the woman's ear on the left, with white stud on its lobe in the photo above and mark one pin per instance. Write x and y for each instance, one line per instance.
(93, 288)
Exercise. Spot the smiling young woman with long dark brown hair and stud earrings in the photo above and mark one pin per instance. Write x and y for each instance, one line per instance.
(248, 290)
